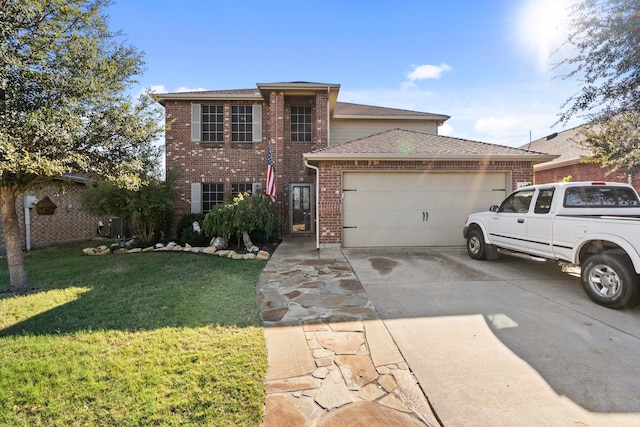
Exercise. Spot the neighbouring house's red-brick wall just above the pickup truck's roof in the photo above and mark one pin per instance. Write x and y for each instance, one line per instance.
(586, 171)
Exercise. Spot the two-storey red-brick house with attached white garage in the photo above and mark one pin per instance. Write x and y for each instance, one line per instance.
(355, 175)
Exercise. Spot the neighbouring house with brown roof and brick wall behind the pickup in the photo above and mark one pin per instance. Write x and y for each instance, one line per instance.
(574, 160)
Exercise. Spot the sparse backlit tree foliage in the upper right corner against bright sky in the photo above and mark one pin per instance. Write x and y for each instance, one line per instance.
(605, 36)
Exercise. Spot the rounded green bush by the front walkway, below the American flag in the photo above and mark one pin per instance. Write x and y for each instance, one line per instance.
(252, 214)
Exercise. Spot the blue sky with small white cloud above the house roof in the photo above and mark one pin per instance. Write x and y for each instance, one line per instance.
(485, 63)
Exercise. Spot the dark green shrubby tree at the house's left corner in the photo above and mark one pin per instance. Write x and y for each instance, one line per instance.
(146, 208)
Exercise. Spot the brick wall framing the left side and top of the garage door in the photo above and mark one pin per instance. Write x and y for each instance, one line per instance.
(330, 192)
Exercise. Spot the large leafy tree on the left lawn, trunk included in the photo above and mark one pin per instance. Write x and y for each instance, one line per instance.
(64, 108)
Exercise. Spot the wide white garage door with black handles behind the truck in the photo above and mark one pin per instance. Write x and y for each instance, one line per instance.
(414, 209)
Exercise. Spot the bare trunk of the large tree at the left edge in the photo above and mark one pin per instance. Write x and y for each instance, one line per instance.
(11, 229)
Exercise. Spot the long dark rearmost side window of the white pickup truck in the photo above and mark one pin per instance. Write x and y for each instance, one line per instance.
(598, 197)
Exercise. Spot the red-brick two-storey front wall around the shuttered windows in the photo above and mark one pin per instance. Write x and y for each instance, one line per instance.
(229, 162)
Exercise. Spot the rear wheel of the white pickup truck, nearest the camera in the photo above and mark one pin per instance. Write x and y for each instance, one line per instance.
(609, 280)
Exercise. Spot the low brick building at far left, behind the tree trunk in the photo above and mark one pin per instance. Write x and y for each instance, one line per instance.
(66, 223)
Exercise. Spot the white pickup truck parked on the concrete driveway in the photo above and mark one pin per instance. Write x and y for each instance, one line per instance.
(592, 224)
